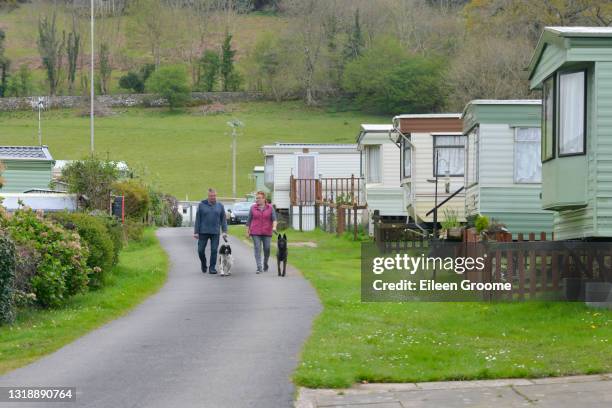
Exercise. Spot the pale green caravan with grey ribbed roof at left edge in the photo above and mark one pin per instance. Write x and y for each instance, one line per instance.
(26, 168)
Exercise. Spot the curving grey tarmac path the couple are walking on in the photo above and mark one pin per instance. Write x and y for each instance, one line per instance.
(202, 341)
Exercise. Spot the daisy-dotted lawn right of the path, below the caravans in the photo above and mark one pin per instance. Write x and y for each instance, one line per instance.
(404, 342)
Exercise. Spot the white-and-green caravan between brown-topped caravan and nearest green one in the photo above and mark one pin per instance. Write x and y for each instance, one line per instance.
(503, 175)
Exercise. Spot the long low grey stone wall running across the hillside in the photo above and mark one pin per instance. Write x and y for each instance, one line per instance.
(122, 100)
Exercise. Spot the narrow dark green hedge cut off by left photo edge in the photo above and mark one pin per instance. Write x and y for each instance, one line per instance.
(7, 277)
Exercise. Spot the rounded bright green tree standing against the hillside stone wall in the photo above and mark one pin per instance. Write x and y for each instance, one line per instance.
(170, 82)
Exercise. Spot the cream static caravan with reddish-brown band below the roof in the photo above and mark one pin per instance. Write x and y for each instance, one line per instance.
(432, 147)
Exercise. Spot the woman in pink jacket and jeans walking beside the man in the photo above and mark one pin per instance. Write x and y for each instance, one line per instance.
(260, 226)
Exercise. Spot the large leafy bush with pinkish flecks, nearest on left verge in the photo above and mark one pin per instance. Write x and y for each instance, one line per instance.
(62, 270)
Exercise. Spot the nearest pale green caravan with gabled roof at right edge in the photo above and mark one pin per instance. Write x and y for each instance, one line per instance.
(573, 67)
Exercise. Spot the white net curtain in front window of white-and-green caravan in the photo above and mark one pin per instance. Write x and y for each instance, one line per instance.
(527, 156)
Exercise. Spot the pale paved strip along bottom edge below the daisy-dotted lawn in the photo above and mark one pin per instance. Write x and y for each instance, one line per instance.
(586, 391)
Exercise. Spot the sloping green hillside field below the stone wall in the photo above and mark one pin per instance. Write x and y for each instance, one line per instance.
(184, 152)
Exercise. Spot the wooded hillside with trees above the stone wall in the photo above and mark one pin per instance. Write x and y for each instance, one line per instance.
(382, 56)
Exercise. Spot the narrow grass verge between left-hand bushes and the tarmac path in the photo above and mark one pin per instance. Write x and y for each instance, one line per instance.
(141, 271)
